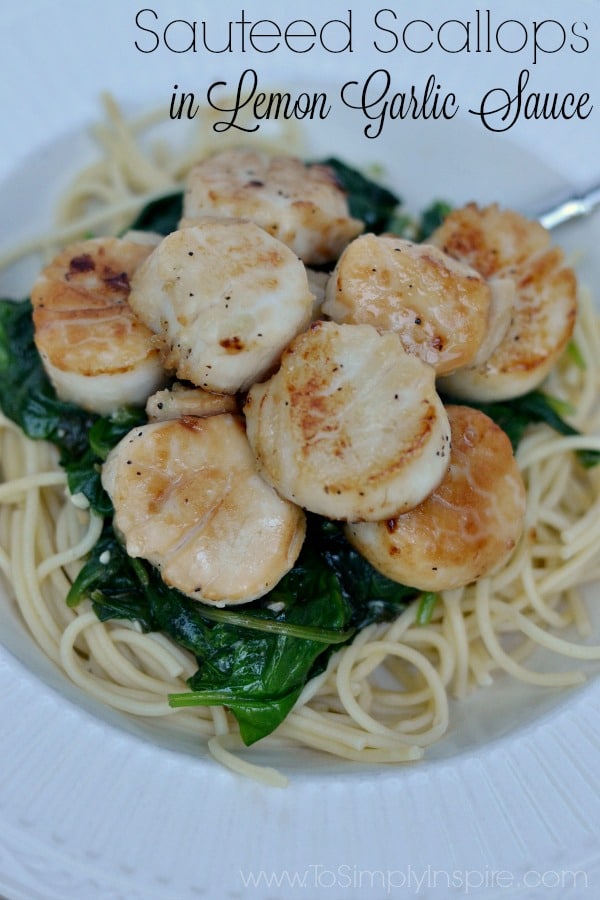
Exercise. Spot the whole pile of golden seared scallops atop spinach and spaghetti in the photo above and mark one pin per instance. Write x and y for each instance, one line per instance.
(297, 391)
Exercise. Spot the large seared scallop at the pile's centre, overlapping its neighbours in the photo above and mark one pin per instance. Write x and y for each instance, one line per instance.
(351, 425)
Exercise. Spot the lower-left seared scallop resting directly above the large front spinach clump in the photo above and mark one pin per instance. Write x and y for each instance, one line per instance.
(188, 498)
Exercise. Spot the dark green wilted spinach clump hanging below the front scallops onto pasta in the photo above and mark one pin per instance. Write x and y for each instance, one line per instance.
(255, 660)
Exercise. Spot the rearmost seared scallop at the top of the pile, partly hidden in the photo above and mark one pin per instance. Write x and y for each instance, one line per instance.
(302, 205)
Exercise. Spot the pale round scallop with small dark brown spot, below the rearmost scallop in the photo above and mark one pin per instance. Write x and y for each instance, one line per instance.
(226, 298)
